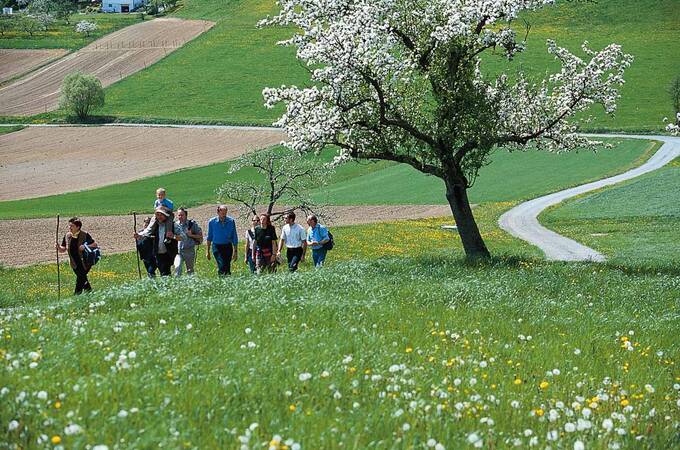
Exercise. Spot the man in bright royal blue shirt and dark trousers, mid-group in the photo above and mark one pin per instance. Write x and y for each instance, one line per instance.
(222, 240)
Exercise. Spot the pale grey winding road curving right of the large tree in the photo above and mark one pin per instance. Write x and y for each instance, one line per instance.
(522, 220)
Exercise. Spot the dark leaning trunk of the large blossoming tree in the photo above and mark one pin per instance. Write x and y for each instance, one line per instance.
(473, 244)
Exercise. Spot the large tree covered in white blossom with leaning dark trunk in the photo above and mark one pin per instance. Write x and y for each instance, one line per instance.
(401, 80)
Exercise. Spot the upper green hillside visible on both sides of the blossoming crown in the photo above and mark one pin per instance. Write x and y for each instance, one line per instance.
(220, 75)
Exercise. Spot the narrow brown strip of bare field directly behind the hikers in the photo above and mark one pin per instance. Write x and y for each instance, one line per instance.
(114, 233)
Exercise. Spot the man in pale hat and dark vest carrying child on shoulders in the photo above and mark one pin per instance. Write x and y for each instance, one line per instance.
(167, 234)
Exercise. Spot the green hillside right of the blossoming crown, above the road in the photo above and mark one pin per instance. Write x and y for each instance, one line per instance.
(646, 29)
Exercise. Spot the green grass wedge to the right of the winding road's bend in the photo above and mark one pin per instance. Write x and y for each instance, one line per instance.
(636, 221)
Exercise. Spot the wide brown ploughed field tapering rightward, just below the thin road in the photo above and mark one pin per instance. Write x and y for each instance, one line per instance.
(39, 161)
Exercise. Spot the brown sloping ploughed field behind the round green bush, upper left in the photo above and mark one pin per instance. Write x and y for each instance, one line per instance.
(110, 59)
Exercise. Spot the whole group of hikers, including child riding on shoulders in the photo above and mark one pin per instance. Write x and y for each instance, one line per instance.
(170, 239)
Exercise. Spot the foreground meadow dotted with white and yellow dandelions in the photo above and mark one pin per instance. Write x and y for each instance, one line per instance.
(432, 313)
